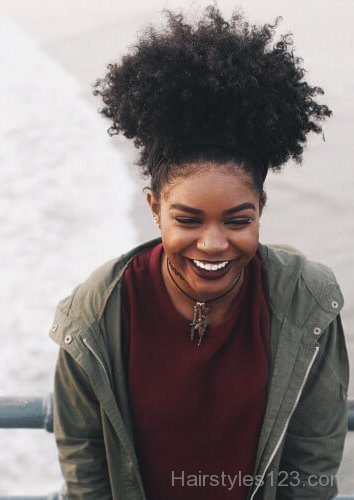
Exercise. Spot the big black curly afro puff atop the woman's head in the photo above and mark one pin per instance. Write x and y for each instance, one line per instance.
(215, 82)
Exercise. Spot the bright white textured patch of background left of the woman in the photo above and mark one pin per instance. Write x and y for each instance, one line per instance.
(65, 197)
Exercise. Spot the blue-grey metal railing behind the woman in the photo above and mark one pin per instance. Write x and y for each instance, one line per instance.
(37, 413)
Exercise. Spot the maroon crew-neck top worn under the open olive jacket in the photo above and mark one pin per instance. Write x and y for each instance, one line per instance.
(197, 410)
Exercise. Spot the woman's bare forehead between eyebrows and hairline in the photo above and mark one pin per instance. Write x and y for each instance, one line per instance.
(210, 184)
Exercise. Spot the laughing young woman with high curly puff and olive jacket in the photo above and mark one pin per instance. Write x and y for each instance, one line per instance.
(205, 365)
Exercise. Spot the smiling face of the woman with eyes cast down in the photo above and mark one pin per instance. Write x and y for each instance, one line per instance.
(209, 226)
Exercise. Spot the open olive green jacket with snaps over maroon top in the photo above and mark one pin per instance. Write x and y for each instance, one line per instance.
(305, 421)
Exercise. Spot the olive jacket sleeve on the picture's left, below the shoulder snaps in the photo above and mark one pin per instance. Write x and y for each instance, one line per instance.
(78, 433)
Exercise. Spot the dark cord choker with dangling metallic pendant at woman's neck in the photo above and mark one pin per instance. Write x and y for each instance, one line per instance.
(200, 316)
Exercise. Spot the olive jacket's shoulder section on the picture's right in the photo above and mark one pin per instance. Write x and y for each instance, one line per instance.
(292, 279)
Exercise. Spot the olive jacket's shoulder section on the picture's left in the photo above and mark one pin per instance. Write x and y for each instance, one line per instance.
(88, 301)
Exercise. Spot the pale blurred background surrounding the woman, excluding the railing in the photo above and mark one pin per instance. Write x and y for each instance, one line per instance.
(70, 196)
